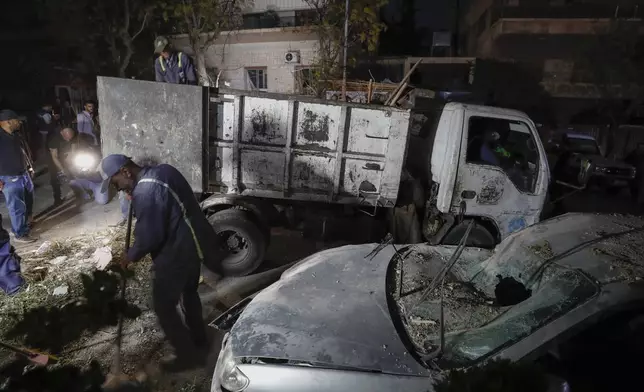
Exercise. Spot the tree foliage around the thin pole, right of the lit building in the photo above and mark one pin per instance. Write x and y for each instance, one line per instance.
(364, 31)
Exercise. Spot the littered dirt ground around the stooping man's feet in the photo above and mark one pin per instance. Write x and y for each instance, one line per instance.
(69, 307)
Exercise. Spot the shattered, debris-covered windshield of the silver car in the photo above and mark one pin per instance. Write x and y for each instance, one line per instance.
(476, 322)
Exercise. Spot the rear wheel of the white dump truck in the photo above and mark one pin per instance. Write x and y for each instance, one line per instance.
(244, 240)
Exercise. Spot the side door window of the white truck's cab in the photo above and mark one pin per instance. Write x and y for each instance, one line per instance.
(506, 144)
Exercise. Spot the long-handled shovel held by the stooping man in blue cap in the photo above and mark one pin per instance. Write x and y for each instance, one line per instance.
(116, 379)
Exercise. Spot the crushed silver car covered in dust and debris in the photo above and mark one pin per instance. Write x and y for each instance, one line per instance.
(382, 317)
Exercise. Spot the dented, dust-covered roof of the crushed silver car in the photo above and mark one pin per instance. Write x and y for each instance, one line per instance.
(589, 242)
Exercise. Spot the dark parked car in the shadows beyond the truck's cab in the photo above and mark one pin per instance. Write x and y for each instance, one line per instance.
(609, 174)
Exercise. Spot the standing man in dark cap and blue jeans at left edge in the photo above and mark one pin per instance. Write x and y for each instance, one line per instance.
(15, 179)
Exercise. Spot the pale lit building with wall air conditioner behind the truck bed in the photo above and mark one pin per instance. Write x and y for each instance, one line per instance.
(273, 51)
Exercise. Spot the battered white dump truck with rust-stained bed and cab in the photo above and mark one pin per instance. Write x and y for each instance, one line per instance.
(259, 160)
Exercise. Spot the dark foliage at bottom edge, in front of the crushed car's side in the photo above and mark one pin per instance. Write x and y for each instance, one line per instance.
(496, 376)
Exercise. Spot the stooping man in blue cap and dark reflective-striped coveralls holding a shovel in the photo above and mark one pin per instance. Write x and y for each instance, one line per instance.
(172, 228)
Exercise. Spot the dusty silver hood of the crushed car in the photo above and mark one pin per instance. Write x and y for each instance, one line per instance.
(330, 310)
